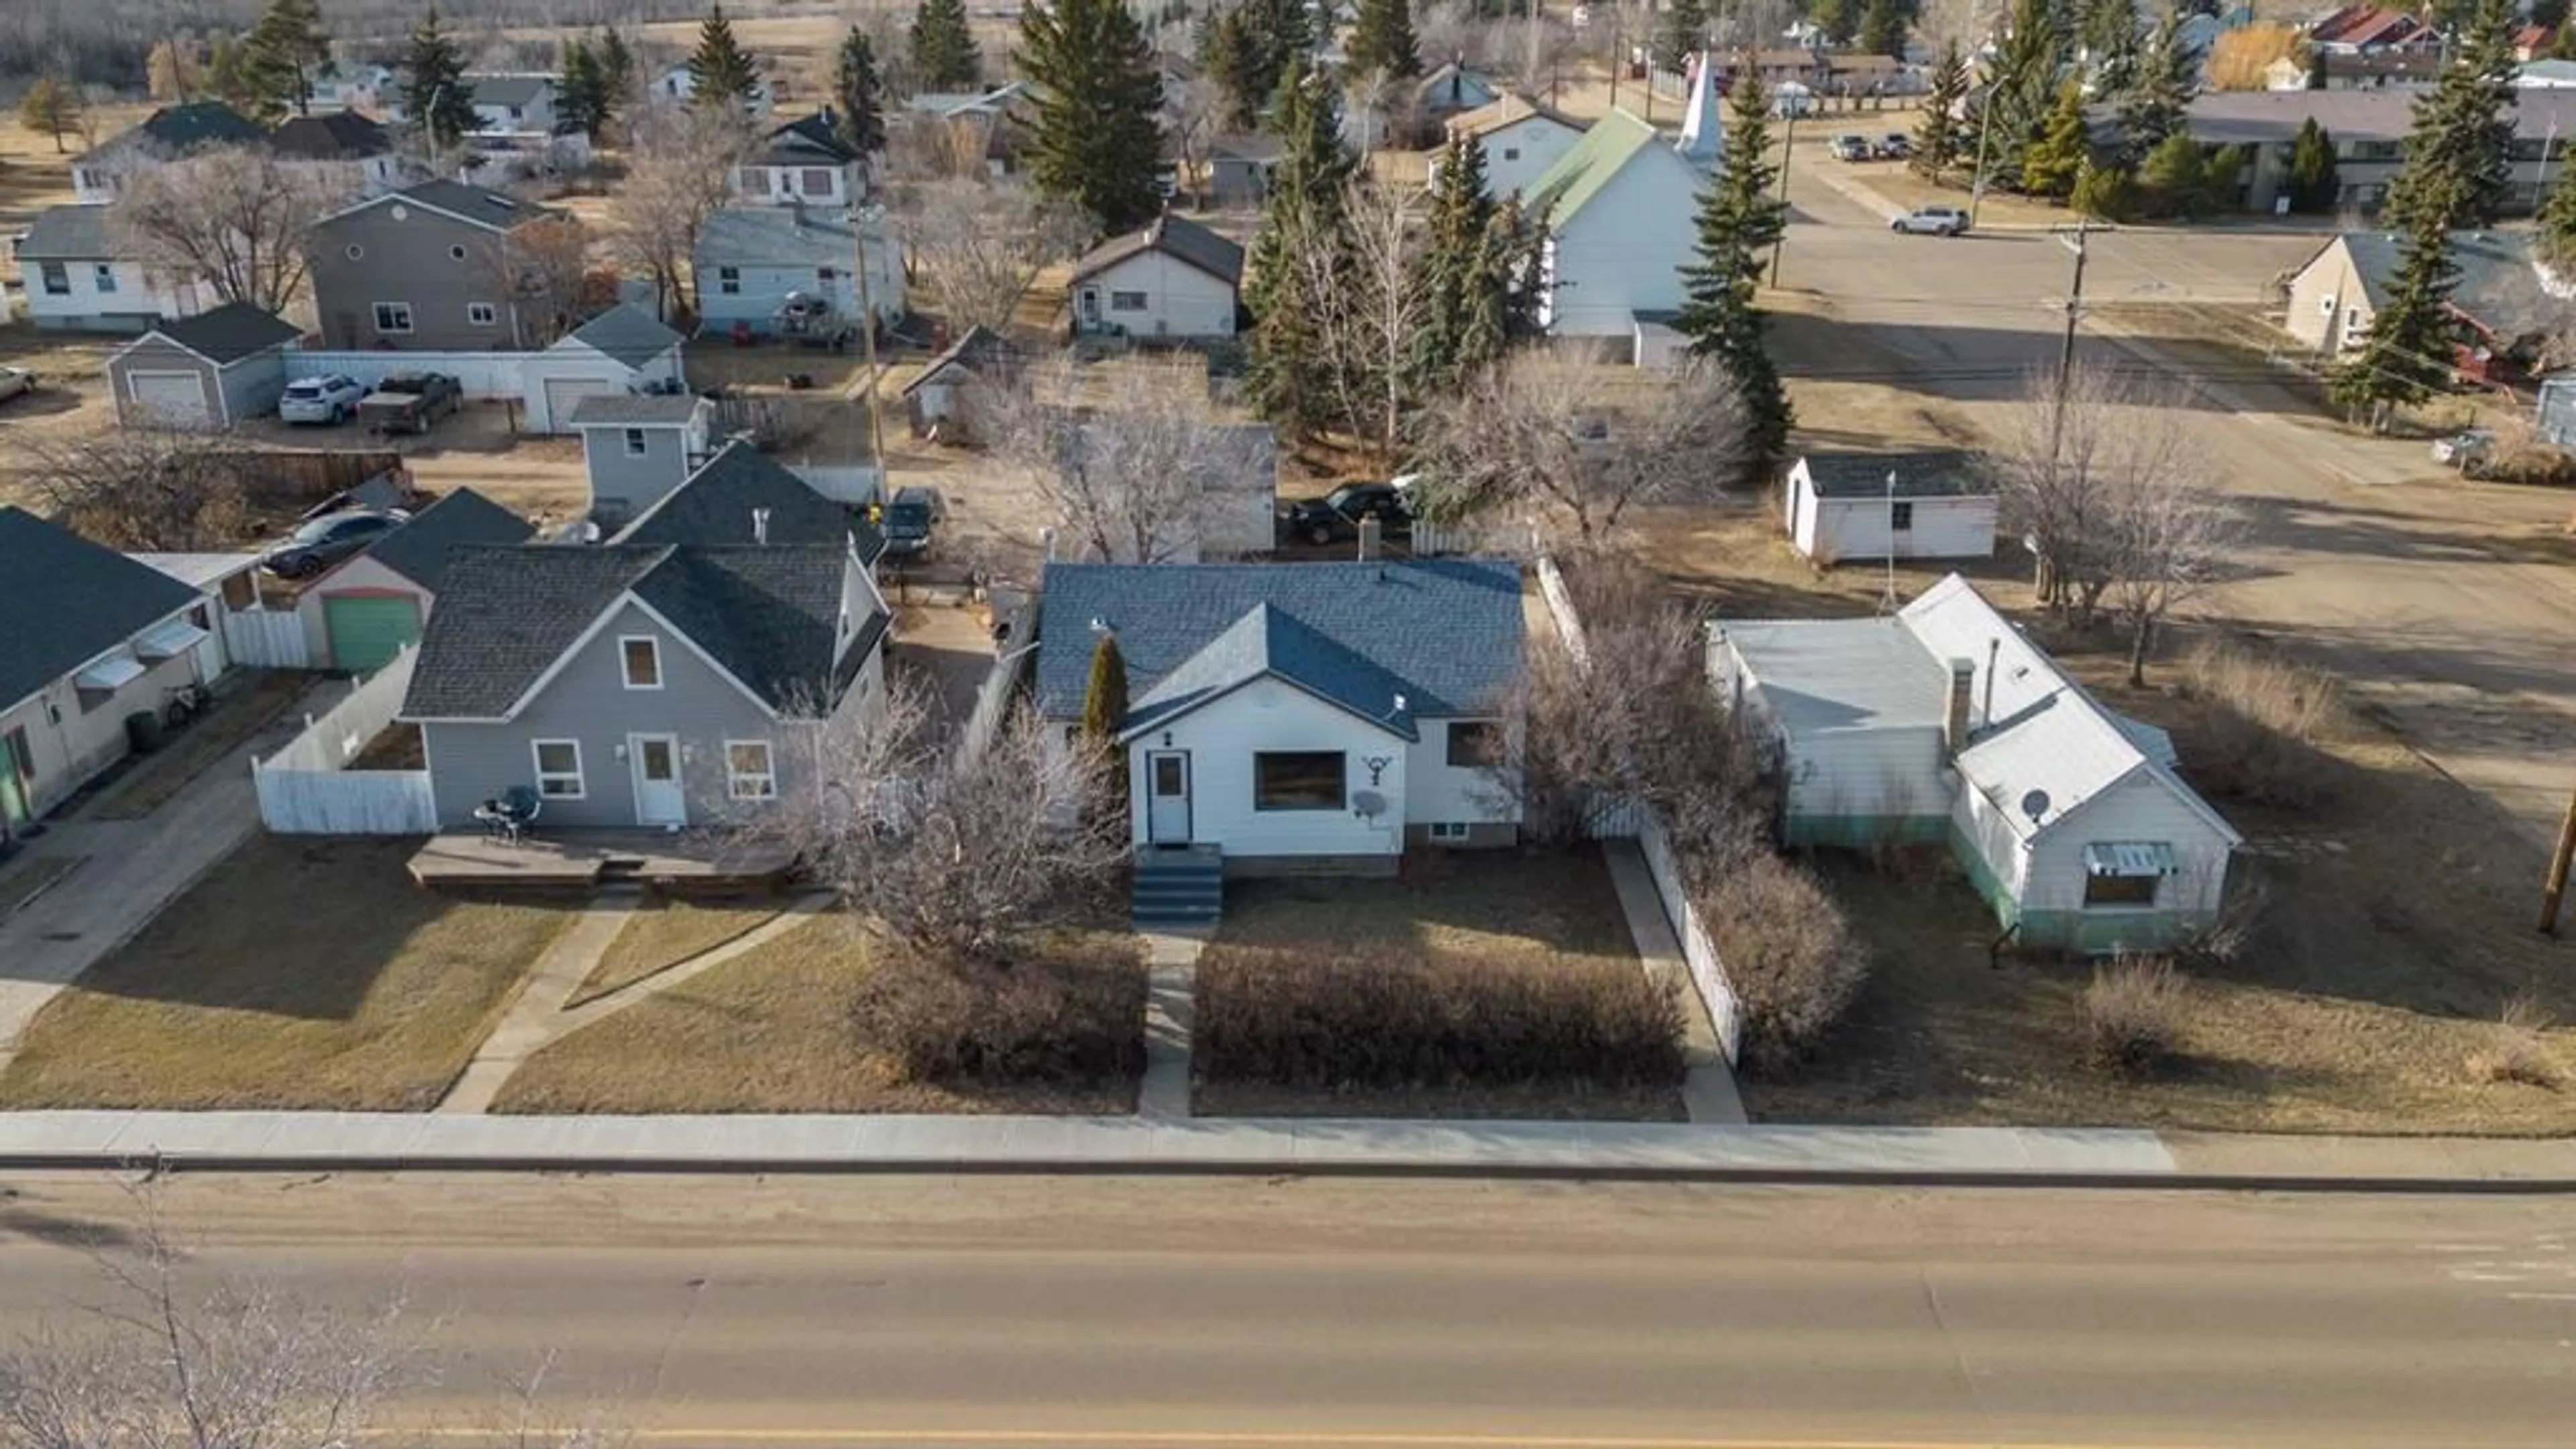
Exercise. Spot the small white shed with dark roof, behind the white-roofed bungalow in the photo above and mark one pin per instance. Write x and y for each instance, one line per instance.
(1877, 507)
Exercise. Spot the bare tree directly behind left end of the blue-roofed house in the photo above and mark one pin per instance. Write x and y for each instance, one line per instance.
(1124, 455)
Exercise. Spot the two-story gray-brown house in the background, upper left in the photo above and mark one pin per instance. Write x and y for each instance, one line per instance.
(434, 267)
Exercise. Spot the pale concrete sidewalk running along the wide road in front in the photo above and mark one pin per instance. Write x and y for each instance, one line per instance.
(1954, 1156)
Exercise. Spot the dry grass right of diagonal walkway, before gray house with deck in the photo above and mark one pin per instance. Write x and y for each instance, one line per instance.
(772, 1033)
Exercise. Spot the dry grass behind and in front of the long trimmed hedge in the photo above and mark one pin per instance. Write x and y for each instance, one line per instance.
(1506, 911)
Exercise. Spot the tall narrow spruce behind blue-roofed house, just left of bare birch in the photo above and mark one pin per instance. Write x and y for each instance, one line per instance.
(1305, 228)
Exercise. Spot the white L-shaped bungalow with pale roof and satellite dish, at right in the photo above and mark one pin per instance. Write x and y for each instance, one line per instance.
(1944, 723)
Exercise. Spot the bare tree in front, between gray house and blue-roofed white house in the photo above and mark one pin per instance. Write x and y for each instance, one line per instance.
(949, 850)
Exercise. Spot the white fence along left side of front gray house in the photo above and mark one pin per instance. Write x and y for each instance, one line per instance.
(308, 788)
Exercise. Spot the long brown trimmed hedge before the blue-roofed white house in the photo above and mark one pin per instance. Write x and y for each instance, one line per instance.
(1359, 1020)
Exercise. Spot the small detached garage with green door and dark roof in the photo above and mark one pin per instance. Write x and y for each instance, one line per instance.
(362, 612)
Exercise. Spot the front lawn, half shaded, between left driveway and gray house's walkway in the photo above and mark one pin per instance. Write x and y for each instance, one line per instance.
(298, 976)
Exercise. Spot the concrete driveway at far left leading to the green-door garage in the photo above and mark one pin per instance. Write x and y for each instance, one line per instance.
(130, 873)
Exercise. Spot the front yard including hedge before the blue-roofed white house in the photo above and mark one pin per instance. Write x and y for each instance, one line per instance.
(1480, 986)
